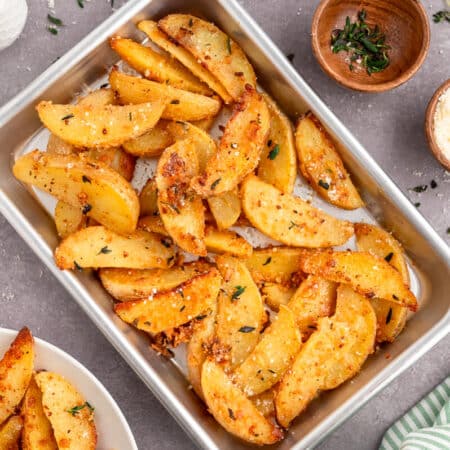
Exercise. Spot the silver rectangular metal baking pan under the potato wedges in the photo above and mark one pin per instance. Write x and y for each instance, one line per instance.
(85, 65)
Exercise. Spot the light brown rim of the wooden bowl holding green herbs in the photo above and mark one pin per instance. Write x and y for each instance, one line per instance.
(349, 82)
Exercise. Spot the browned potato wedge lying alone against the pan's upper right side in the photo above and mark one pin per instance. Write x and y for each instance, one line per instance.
(322, 166)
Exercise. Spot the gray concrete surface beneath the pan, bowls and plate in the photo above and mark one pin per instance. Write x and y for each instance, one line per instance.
(390, 125)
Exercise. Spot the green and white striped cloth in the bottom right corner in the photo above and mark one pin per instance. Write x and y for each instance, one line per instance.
(426, 426)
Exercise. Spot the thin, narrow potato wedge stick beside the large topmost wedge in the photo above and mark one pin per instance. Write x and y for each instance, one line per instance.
(161, 39)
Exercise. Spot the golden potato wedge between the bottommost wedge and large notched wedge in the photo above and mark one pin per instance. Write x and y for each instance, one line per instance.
(272, 356)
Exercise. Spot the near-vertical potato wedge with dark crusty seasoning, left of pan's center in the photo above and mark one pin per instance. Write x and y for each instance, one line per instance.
(180, 208)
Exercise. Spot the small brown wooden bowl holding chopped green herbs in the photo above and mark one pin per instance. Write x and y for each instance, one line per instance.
(407, 30)
